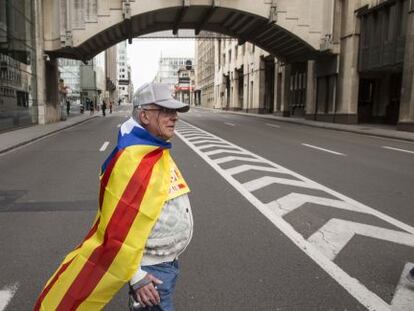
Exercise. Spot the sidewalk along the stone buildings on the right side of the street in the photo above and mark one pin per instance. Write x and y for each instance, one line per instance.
(379, 130)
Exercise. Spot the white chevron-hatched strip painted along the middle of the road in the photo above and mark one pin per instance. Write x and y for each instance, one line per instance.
(233, 162)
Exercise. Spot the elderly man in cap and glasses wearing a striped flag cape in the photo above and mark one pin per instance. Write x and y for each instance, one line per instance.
(144, 219)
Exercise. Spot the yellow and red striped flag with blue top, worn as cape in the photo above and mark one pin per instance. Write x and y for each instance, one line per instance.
(136, 180)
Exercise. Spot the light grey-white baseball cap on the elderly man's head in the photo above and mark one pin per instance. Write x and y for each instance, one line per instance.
(158, 94)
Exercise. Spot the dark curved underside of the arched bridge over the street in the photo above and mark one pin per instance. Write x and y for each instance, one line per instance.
(244, 26)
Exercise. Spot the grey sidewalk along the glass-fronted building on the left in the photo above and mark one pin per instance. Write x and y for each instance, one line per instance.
(19, 137)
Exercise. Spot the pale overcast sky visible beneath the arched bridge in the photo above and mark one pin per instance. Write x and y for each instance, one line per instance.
(144, 54)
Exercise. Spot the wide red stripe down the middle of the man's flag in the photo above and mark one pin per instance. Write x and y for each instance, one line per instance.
(115, 234)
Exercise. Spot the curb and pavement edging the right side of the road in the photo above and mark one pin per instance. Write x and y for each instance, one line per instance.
(330, 126)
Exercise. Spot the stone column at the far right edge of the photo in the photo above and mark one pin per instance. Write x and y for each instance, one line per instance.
(406, 121)
